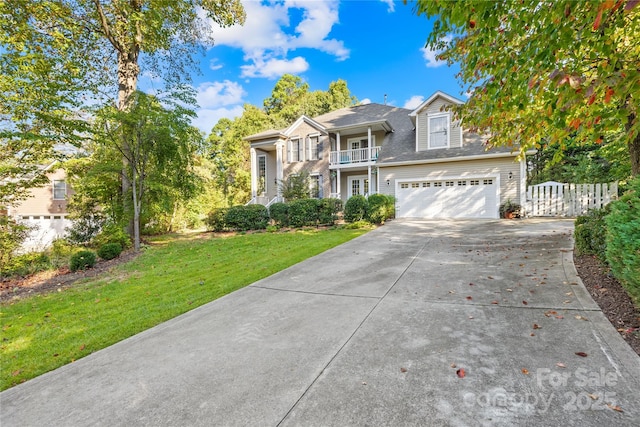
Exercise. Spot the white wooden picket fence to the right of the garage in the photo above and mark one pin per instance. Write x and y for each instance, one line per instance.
(557, 199)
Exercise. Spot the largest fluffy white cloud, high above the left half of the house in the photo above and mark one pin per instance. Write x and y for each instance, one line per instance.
(268, 35)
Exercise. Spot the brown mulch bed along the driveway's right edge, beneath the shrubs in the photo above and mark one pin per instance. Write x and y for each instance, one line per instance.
(612, 298)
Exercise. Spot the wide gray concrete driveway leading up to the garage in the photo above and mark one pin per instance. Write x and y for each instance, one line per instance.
(374, 332)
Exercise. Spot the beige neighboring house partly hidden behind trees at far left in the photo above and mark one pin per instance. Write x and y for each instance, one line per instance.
(45, 210)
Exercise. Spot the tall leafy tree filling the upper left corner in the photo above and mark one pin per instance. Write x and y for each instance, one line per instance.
(57, 51)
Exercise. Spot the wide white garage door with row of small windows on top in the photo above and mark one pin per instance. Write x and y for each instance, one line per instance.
(448, 198)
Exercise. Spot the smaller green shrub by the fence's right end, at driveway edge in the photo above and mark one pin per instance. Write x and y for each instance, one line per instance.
(590, 233)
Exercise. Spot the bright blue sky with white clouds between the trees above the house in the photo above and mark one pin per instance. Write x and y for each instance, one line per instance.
(377, 46)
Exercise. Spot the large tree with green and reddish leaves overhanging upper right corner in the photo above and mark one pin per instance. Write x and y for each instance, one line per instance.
(544, 71)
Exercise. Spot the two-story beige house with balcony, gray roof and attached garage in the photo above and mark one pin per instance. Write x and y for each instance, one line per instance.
(424, 158)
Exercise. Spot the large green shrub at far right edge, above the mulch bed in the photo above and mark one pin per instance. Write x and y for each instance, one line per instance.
(623, 239)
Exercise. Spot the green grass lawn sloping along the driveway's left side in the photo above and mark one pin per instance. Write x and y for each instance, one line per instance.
(174, 275)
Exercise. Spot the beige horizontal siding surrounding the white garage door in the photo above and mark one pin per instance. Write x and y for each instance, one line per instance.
(509, 188)
